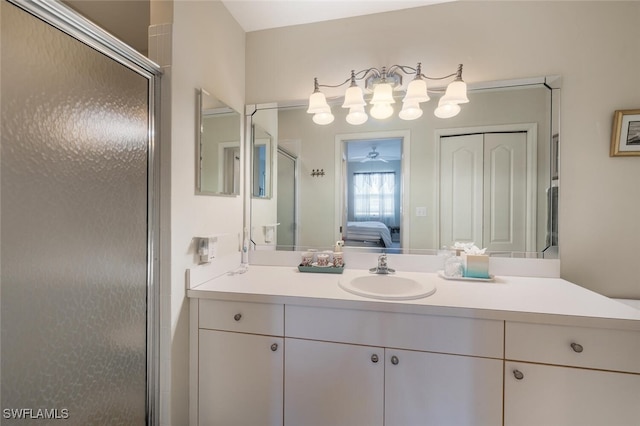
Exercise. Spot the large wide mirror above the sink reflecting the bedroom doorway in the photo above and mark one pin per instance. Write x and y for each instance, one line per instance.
(488, 175)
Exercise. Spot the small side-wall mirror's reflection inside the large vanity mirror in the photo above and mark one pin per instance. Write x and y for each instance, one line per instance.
(261, 162)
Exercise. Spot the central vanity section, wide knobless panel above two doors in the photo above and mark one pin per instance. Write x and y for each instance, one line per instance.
(352, 367)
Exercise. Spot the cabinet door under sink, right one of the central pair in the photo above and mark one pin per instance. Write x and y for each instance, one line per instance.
(436, 389)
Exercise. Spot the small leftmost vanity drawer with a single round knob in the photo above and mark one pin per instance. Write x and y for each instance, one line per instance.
(245, 317)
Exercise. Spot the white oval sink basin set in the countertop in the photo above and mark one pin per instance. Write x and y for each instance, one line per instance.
(387, 287)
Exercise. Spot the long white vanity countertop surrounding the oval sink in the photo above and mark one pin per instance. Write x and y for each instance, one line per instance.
(530, 299)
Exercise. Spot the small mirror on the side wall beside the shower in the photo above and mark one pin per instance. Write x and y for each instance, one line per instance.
(218, 148)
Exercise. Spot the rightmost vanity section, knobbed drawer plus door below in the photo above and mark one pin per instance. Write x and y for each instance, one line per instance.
(571, 375)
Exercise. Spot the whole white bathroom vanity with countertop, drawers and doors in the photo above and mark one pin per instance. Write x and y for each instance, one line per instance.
(274, 346)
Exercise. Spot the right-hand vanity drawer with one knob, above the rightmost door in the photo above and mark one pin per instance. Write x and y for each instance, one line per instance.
(600, 348)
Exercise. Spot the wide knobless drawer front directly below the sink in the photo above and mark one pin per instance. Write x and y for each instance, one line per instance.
(454, 335)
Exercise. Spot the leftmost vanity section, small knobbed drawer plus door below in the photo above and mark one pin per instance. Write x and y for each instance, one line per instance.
(240, 363)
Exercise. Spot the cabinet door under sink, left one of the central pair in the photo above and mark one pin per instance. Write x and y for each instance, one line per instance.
(333, 384)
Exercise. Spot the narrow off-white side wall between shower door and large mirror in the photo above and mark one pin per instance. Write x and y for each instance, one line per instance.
(204, 48)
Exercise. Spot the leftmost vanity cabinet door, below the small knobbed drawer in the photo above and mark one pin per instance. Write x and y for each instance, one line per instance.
(240, 379)
